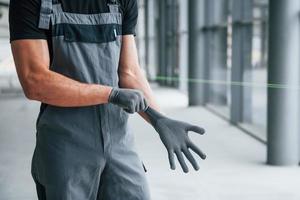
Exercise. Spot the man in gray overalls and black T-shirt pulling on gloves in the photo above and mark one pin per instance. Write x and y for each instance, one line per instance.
(80, 60)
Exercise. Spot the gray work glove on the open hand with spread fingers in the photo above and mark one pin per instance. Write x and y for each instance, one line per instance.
(174, 135)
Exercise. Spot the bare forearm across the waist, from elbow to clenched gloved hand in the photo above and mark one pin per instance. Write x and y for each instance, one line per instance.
(55, 89)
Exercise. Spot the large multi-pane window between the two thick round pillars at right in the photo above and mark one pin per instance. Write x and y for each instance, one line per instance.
(236, 53)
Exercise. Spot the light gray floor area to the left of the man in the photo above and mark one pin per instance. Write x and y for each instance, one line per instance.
(17, 139)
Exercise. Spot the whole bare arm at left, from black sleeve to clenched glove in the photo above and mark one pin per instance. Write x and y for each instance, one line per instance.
(39, 83)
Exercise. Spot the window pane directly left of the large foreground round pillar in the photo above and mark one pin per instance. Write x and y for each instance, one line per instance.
(255, 99)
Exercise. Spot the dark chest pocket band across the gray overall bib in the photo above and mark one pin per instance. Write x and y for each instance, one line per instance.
(91, 33)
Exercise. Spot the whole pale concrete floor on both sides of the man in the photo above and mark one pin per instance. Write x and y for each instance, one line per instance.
(234, 169)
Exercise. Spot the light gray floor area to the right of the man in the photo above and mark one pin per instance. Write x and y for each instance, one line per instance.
(235, 168)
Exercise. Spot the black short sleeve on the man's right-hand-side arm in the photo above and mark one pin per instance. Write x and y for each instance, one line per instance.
(130, 17)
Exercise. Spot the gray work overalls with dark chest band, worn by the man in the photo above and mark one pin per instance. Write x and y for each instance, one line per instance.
(86, 153)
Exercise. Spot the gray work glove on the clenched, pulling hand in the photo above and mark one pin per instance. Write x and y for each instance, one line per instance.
(130, 100)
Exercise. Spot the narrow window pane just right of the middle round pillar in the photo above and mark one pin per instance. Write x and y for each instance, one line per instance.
(217, 48)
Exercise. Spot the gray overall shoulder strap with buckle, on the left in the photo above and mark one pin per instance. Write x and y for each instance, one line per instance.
(45, 14)
